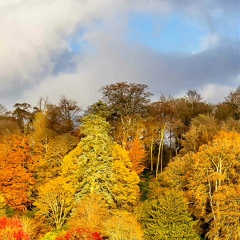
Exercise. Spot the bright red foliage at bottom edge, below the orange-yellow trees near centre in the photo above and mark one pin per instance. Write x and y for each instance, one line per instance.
(80, 234)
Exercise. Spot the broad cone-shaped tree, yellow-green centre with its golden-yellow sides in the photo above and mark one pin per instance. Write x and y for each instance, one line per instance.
(99, 165)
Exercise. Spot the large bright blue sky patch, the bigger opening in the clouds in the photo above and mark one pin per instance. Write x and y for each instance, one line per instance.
(172, 33)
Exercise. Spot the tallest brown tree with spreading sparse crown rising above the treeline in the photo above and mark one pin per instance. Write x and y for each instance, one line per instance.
(128, 103)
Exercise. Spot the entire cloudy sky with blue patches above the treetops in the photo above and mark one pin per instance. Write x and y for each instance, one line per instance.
(74, 47)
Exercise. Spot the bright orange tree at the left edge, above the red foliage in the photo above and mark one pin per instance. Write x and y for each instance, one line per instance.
(16, 179)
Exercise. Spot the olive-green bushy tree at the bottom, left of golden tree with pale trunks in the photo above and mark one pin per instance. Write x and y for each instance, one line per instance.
(167, 218)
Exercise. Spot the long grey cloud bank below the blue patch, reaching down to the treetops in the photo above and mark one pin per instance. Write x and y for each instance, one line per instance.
(115, 61)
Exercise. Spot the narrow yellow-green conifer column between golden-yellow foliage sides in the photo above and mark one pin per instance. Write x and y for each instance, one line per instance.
(95, 164)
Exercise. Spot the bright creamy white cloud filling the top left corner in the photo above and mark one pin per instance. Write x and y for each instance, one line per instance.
(32, 31)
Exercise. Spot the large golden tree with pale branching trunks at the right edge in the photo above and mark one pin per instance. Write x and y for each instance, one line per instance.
(214, 185)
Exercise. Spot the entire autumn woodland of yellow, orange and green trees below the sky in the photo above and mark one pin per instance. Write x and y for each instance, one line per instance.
(124, 169)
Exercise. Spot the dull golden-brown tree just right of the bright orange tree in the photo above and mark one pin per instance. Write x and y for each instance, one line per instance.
(49, 148)
